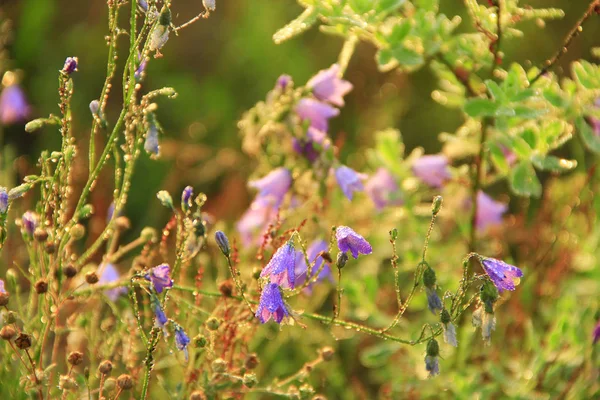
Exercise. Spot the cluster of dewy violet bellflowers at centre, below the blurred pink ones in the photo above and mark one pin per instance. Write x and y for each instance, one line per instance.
(287, 267)
